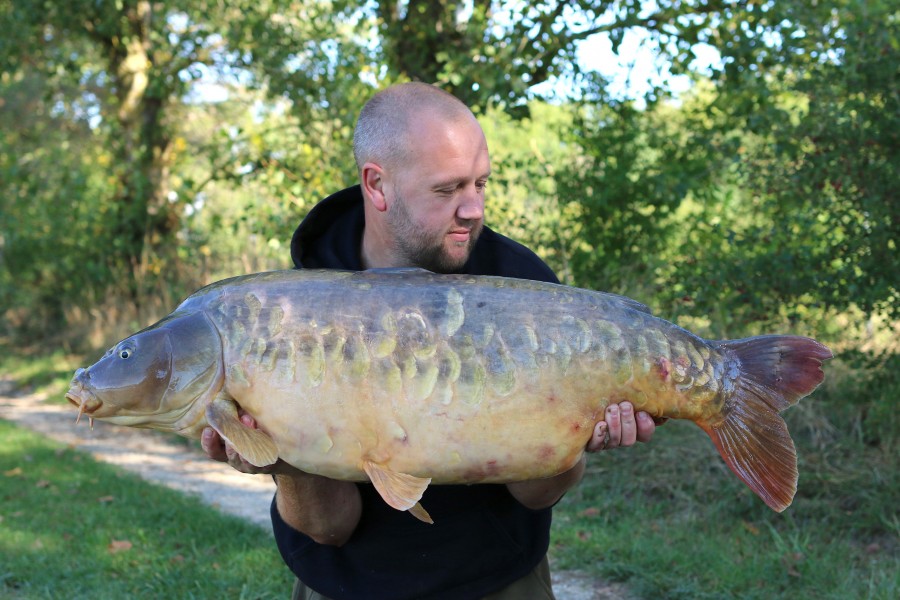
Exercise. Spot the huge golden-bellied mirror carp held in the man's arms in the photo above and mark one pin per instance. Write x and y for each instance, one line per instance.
(406, 378)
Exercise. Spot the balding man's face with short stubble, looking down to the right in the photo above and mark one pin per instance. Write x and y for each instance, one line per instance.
(436, 201)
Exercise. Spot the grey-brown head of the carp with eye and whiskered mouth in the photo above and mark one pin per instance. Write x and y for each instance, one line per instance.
(152, 378)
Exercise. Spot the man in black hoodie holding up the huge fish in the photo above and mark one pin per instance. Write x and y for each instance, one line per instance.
(423, 166)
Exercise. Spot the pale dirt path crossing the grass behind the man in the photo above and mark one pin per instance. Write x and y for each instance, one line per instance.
(161, 460)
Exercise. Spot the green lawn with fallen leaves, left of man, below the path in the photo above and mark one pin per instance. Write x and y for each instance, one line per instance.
(73, 528)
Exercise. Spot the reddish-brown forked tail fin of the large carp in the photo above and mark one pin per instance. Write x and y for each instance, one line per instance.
(775, 372)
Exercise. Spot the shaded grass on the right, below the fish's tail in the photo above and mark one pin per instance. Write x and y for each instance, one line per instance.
(671, 521)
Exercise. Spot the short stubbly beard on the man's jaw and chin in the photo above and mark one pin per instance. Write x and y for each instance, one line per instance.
(422, 248)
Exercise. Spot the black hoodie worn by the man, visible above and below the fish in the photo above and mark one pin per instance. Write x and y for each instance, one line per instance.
(482, 539)
